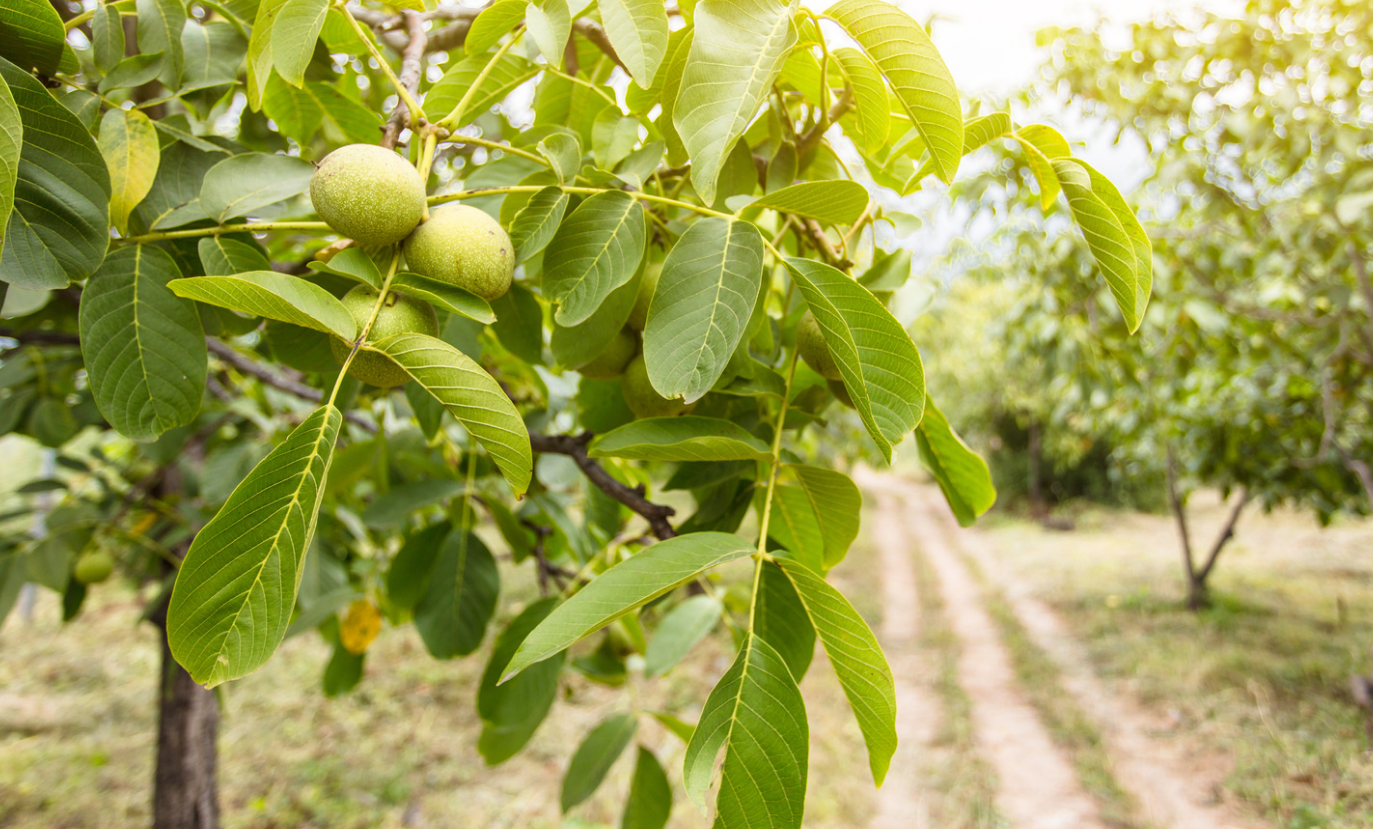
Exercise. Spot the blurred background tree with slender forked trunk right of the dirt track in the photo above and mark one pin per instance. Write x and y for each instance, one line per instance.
(1251, 373)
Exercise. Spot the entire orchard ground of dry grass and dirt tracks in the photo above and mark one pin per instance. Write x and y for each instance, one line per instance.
(1046, 679)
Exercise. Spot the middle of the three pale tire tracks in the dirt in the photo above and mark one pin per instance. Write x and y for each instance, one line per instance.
(1037, 786)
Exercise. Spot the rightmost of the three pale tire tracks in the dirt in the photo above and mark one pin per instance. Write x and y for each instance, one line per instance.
(1175, 790)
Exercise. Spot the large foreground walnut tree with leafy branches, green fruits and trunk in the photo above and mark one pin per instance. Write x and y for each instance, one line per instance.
(676, 211)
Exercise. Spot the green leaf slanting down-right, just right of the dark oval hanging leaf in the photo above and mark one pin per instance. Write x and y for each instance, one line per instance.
(879, 364)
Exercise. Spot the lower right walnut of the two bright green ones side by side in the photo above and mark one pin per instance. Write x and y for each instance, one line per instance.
(462, 246)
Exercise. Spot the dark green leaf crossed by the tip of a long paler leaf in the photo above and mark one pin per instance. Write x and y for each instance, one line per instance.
(513, 712)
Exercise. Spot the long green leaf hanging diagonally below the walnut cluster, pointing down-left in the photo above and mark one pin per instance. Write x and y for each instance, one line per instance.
(237, 585)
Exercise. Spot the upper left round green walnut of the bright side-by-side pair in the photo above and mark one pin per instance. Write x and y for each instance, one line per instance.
(369, 194)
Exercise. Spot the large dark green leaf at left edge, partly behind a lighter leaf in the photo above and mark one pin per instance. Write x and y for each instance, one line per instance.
(60, 229)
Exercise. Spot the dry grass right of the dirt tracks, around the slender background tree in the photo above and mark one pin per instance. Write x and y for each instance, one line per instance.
(1262, 677)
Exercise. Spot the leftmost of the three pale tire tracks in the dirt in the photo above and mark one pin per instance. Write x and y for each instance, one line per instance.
(901, 804)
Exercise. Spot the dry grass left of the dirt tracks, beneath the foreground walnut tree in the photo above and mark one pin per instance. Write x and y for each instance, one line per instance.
(78, 734)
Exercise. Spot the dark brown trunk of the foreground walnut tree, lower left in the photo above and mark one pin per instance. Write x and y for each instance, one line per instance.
(186, 786)
